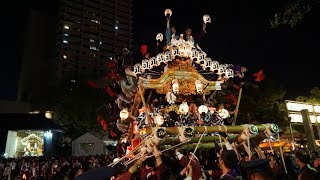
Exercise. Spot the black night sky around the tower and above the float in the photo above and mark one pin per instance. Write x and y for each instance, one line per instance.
(239, 34)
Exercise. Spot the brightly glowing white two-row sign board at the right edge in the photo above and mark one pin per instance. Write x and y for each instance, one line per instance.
(295, 107)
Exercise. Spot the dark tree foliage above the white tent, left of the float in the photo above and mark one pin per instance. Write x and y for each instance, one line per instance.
(76, 106)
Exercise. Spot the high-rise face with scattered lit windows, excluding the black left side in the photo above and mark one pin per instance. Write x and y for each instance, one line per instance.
(89, 32)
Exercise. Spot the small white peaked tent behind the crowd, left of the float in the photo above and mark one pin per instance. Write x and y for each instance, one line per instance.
(87, 144)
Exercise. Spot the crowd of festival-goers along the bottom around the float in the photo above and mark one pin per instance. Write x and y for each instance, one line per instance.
(175, 164)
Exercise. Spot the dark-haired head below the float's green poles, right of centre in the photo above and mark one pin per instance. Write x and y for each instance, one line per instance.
(228, 159)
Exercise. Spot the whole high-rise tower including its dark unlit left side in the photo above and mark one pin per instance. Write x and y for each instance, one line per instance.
(88, 32)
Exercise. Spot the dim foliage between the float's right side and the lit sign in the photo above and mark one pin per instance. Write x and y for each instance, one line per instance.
(263, 104)
